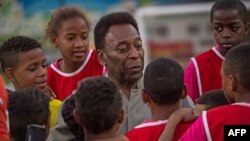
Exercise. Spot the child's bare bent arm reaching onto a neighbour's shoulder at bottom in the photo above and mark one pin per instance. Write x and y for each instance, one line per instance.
(183, 114)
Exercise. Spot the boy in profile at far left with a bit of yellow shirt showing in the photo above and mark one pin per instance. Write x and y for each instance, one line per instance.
(23, 62)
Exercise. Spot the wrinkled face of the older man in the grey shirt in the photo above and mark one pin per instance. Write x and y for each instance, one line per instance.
(123, 53)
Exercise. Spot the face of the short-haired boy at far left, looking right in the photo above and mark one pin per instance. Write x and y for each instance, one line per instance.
(30, 70)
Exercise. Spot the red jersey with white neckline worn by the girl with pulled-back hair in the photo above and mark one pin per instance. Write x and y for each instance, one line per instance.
(64, 83)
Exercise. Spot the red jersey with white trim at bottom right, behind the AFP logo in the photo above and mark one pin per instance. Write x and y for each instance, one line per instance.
(215, 119)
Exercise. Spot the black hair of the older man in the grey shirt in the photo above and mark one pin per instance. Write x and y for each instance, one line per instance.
(103, 25)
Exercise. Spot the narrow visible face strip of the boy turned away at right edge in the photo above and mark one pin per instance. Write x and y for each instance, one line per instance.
(226, 84)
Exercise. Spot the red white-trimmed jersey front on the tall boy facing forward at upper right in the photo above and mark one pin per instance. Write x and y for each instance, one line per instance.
(208, 70)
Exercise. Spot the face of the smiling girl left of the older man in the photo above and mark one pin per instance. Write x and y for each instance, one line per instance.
(73, 40)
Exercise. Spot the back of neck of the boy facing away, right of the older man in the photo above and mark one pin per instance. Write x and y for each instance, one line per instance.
(162, 112)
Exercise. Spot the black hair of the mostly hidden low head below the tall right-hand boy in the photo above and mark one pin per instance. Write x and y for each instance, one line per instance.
(213, 99)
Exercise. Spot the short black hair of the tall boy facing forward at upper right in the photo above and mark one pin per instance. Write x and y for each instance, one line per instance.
(228, 5)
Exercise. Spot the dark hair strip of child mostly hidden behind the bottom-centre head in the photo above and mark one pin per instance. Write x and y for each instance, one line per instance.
(67, 113)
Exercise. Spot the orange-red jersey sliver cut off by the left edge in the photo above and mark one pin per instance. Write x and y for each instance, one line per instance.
(4, 135)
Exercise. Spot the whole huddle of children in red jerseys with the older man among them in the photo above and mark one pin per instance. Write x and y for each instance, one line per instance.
(103, 94)
